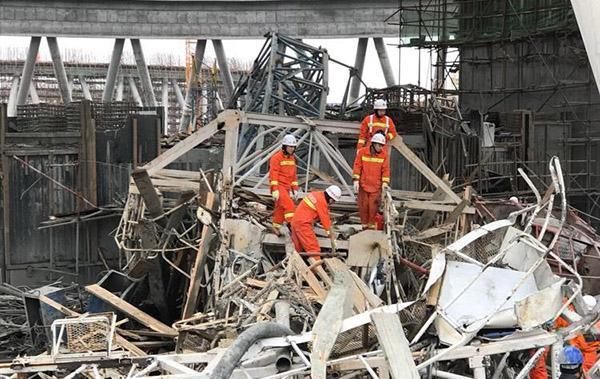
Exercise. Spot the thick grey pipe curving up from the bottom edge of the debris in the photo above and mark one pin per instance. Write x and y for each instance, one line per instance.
(240, 346)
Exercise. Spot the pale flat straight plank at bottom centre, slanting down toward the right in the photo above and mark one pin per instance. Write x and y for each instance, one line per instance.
(395, 346)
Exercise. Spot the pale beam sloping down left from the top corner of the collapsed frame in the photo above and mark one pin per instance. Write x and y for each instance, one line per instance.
(190, 142)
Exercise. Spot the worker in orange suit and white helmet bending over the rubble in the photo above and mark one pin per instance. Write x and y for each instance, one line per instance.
(314, 206)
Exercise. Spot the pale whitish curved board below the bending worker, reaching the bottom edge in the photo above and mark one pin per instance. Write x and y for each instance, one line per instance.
(329, 324)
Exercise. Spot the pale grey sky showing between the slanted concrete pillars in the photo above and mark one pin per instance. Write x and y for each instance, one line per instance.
(344, 50)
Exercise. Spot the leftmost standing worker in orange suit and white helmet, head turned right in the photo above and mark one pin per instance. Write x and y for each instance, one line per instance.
(284, 182)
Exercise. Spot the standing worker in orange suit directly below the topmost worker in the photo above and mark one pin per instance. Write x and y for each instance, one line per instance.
(371, 174)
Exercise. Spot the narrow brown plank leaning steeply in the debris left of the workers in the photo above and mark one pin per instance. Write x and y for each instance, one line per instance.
(191, 301)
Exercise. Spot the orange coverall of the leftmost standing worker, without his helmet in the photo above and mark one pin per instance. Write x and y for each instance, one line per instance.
(283, 178)
